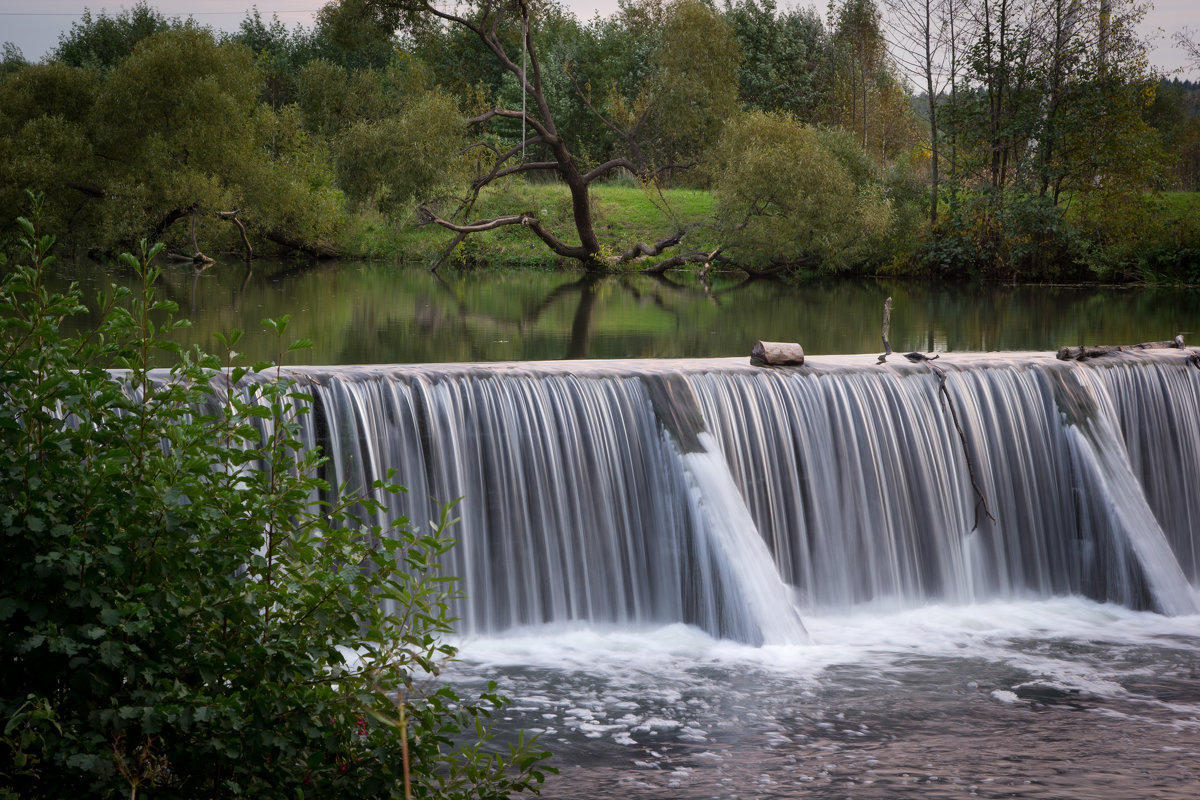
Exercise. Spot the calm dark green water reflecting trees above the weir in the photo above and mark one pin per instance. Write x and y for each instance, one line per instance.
(380, 314)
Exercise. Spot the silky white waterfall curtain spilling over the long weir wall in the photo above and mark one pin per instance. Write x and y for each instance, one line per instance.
(641, 494)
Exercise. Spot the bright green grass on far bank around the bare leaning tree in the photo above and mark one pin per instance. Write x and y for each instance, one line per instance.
(623, 215)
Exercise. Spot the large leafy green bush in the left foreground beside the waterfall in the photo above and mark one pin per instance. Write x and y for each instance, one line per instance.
(179, 617)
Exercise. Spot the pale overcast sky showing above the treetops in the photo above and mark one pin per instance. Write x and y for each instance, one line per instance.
(34, 26)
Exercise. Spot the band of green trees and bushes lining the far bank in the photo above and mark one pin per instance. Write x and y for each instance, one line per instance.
(961, 139)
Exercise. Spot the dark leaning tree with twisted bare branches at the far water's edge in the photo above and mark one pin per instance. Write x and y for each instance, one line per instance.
(505, 31)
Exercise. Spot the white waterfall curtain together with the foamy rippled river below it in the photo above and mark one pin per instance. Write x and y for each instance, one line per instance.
(969, 548)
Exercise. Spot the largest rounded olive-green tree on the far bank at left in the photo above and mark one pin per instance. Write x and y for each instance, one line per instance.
(181, 135)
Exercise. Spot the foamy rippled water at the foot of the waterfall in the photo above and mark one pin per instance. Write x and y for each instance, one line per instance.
(1061, 699)
